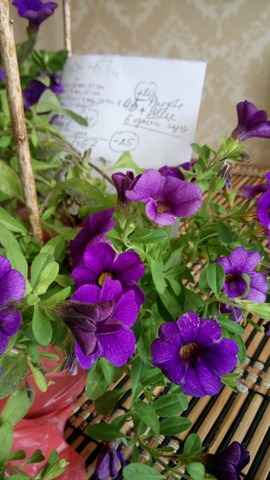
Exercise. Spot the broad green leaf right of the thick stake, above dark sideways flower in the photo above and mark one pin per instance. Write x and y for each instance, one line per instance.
(82, 192)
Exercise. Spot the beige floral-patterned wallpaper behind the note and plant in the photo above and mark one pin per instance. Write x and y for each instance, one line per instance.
(232, 36)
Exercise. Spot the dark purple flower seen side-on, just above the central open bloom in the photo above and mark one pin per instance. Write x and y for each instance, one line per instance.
(92, 232)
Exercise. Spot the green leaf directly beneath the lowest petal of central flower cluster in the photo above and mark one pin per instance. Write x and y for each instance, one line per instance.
(99, 378)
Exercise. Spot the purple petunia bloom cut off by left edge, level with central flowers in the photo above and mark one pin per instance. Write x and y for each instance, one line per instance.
(12, 288)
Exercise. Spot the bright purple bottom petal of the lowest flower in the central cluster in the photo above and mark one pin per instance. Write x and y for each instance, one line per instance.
(118, 346)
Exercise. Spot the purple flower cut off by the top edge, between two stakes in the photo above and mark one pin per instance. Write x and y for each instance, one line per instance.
(35, 11)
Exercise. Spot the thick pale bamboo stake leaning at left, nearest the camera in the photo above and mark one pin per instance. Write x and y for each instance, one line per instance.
(14, 95)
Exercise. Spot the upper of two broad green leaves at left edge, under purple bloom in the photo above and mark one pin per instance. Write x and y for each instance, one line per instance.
(14, 371)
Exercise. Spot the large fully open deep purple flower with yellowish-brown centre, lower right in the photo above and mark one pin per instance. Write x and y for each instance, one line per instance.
(191, 353)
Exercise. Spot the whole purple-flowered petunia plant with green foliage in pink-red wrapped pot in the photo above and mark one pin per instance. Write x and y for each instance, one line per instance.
(103, 288)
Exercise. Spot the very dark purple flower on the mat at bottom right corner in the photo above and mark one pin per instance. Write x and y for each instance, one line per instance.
(227, 464)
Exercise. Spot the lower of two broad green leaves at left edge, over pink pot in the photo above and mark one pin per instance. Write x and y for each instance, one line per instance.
(16, 407)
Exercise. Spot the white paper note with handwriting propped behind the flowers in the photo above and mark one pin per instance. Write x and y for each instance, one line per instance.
(148, 106)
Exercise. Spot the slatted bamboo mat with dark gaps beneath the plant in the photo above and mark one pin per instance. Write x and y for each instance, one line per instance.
(243, 416)
